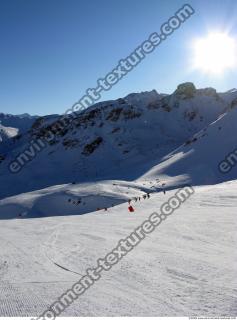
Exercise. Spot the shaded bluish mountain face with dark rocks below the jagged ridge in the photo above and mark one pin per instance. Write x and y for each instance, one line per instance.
(119, 139)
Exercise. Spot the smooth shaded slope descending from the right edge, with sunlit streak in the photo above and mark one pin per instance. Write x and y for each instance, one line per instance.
(197, 161)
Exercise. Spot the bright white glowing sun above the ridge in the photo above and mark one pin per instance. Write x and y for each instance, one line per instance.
(215, 53)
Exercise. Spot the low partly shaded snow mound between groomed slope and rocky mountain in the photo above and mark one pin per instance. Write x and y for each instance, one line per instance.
(70, 199)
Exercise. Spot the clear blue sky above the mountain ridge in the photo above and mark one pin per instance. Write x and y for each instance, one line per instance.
(53, 50)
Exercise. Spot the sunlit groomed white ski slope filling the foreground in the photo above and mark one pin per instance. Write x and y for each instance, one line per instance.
(187, 266)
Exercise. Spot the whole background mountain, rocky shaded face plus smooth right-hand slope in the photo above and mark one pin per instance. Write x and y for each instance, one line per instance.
(129, 139)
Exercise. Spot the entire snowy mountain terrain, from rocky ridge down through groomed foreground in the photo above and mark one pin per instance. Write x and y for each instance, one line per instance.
(116, 152)
